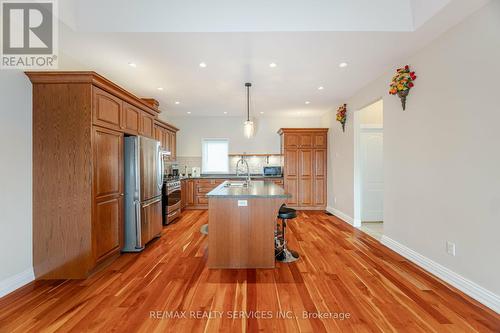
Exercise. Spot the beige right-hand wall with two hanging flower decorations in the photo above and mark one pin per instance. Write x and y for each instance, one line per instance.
(441, 155)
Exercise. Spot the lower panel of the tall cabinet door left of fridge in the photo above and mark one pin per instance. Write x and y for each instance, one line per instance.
(108, 227)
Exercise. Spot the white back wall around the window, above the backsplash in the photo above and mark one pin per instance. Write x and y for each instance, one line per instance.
(266, 139)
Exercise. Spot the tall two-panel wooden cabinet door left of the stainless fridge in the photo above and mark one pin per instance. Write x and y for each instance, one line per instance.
(107, 231)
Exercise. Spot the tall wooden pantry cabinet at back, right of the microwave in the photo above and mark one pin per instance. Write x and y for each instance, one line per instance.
(305, 163)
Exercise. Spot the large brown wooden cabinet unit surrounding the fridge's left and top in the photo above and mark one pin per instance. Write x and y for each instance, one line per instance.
(79, 123)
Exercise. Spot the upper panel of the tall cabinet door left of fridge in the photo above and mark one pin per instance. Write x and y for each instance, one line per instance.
(108, 162)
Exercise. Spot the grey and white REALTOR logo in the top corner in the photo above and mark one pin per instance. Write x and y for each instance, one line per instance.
(29, 31)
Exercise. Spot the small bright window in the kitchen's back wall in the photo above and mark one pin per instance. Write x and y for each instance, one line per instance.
(214, 153)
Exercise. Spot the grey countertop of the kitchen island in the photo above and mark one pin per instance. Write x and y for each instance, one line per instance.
(257, 189)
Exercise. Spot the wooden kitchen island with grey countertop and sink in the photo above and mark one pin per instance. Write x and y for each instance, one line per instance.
(241, 224)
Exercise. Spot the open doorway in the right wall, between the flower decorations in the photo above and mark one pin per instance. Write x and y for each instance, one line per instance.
(369, 171)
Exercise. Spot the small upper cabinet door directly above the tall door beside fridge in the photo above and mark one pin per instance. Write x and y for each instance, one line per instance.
(107, 109)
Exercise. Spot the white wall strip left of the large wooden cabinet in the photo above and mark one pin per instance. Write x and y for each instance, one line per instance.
(15, 180)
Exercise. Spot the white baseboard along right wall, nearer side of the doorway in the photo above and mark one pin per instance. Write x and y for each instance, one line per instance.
(468, 287)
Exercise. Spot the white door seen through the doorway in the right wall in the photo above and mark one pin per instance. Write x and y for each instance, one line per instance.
(372, 175)
